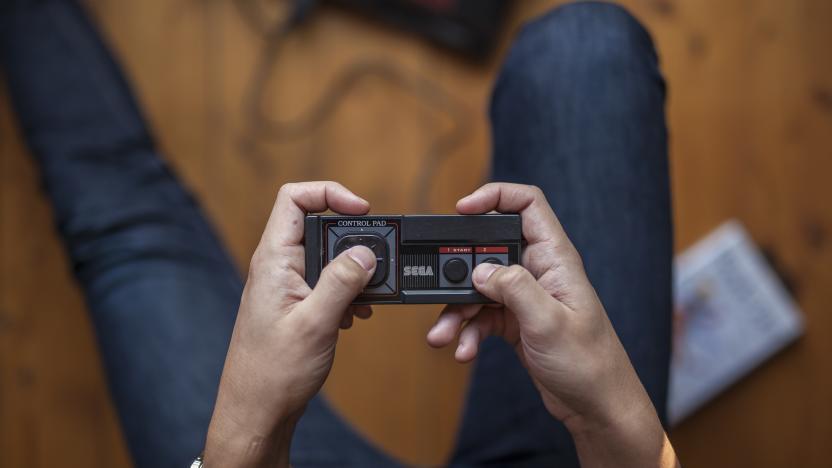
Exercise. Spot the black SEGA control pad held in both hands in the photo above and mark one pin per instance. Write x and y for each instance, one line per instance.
(420, 259)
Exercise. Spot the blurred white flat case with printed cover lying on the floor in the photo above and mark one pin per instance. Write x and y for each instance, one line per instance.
(732, 313)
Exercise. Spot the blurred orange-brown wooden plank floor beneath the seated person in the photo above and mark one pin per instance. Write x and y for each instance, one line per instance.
(750, 110)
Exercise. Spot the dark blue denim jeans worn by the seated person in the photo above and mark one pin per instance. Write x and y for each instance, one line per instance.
(578, 110)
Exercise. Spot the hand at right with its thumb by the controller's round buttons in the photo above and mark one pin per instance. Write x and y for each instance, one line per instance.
(549, 312)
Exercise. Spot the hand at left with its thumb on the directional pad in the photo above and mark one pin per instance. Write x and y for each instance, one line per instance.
(284, 339)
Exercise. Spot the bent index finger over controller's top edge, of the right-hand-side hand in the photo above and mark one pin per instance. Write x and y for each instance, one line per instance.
(539, 221)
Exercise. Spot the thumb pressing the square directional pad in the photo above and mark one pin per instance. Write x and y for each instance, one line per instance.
(340, 282)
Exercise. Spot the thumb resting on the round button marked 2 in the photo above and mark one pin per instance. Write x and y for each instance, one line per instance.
(537, 312)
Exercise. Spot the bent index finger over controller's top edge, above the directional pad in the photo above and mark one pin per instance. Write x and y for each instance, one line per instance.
(285, 225)
